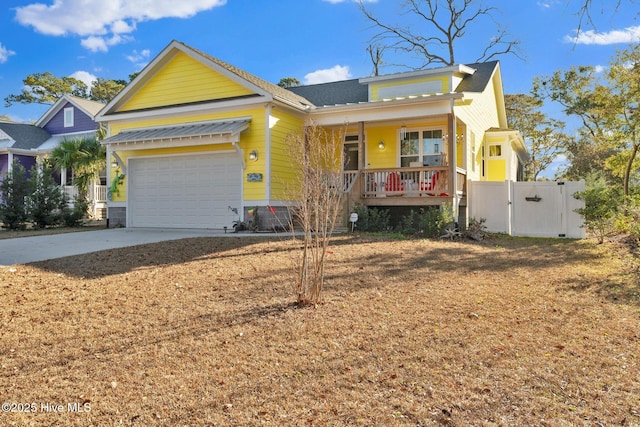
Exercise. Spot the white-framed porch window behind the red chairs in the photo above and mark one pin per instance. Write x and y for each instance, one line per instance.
(422, 146)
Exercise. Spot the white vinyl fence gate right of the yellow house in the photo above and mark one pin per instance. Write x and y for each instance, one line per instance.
(535, 209)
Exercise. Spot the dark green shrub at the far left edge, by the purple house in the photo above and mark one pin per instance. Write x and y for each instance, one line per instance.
(14, 191)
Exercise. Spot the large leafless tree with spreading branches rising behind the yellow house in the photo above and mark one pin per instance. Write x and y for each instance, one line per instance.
(444, 23)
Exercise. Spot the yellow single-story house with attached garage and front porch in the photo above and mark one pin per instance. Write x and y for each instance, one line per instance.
(195, 142)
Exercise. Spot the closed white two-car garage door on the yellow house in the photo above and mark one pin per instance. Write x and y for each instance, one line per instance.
(192, 191)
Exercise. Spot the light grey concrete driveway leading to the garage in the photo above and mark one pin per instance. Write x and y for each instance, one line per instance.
(24, 250)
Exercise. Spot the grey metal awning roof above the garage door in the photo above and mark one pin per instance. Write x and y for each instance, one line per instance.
(187, 134)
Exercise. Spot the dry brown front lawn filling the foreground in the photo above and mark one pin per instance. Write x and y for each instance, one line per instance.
(204, 332)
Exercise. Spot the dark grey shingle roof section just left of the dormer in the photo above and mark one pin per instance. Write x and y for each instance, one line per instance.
(334, 93)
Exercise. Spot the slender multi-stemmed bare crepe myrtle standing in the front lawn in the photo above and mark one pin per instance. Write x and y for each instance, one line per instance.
(317, 191)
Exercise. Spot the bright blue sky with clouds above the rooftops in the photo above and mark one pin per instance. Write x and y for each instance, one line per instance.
(311, 40)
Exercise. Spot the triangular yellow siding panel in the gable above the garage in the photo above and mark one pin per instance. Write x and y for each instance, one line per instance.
(184, 80)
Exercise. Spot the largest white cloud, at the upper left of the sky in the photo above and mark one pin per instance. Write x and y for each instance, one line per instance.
(104, 23)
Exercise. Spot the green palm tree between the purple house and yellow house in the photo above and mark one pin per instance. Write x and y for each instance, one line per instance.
(86, 157)
